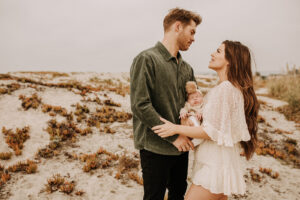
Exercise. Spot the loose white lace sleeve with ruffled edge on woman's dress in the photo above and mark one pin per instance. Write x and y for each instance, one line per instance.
(224, 117)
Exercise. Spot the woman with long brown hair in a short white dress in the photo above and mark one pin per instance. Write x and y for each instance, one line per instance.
(229, 126)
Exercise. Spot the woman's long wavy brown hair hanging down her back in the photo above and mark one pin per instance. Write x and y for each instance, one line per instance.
(239, 73)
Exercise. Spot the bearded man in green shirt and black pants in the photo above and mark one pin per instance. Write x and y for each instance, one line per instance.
(157, 88)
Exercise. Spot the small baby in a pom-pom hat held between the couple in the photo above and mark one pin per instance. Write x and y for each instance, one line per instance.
(193, 107)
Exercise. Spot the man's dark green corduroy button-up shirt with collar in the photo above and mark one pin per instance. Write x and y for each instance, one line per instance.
(157, 88)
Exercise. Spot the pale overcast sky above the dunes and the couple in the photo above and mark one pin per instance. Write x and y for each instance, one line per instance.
(105, 35)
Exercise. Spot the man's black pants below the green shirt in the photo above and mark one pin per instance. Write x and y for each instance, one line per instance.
(161, 172)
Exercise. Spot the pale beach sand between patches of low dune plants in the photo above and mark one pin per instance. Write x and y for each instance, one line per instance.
(101, 183)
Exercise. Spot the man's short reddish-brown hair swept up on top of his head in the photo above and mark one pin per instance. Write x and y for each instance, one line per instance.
(182, 15)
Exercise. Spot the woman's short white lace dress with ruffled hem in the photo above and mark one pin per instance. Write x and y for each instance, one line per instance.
(218, 165)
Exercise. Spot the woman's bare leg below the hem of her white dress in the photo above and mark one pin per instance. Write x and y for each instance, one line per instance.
(196, 192)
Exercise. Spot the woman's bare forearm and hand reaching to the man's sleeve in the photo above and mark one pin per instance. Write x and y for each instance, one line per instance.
(169, 129)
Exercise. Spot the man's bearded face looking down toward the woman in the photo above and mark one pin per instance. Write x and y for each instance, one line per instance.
(186, 36)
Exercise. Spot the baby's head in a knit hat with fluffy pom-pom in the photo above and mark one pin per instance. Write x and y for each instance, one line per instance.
(194, 95)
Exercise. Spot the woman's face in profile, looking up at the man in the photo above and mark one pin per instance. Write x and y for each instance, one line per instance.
(218, 61)
